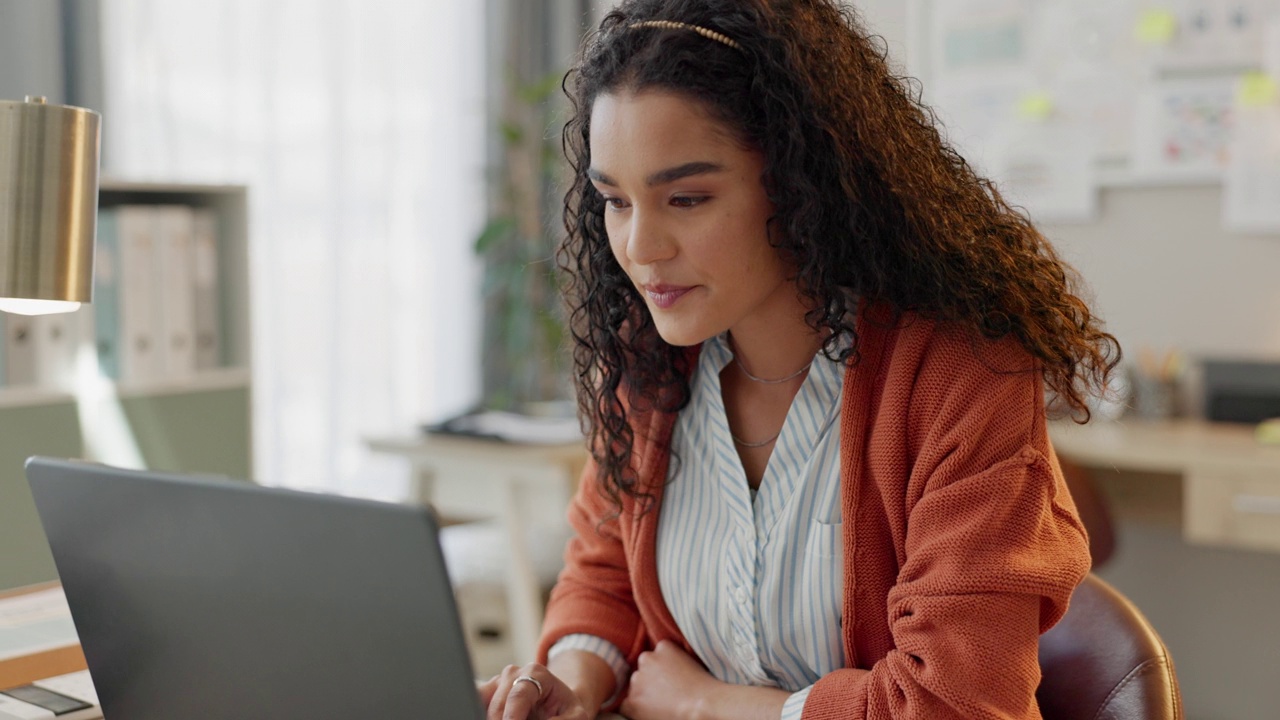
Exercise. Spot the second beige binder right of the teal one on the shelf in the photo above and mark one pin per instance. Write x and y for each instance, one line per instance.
(176, 275)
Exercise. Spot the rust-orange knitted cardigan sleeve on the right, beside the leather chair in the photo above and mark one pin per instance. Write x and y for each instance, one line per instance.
(991, 553)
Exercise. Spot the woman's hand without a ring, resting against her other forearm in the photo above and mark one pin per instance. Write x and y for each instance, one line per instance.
(668, 685)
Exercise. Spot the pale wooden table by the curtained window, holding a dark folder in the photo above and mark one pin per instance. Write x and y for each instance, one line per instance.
(519, 475)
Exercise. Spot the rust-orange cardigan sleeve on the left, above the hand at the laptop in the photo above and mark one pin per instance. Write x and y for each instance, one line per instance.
(593, 595)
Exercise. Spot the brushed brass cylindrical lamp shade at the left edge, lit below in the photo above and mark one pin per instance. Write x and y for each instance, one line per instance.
(48, 206)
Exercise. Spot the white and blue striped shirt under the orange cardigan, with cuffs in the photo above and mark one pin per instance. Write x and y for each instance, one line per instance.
(755, 581)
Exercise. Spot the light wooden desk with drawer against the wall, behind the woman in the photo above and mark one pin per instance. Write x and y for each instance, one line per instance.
(1231, 482)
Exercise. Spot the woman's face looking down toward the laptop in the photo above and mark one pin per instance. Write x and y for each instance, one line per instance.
(687, 215)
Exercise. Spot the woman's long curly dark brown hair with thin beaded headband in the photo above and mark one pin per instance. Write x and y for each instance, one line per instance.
(871, 206)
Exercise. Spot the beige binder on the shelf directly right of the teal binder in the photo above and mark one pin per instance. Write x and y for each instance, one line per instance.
(140, 350)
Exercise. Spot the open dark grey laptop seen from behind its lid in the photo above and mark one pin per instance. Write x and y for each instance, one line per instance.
(218, 599)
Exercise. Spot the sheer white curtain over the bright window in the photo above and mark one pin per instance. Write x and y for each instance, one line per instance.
(359, 127)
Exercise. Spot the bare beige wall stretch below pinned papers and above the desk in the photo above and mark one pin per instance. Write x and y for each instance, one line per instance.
(1167, 275)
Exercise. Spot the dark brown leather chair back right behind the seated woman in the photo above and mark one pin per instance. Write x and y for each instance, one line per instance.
(1104, 662)
